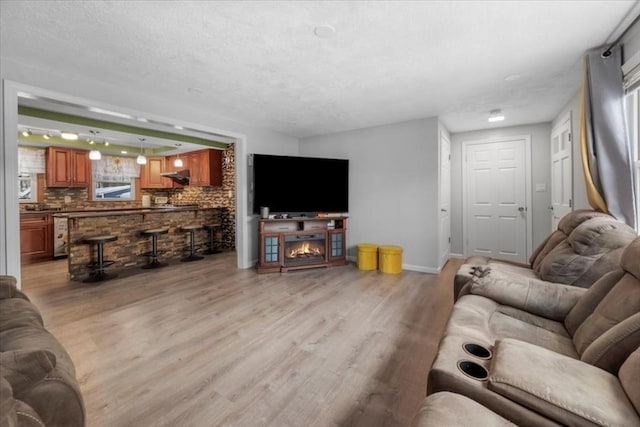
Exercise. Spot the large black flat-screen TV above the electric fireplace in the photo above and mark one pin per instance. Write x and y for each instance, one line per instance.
(300, 185)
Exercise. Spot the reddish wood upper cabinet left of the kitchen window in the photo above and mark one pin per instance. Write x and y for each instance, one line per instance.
(67, 167)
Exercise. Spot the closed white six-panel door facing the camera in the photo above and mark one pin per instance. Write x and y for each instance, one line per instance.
(495, 199)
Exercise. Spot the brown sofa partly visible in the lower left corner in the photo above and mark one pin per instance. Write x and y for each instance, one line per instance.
(38, 385)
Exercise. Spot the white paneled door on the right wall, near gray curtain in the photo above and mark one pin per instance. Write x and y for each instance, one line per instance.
(561, 172)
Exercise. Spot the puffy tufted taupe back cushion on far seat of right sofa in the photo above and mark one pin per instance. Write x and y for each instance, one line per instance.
(591, 250)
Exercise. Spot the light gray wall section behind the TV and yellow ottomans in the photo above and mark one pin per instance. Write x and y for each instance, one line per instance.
(393, 186)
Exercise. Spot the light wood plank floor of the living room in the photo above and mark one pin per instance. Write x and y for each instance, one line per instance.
(206, 344)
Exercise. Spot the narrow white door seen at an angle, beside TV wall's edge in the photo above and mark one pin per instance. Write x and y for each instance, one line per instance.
(445, 199)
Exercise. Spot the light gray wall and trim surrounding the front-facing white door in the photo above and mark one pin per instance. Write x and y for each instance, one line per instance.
(541, 173)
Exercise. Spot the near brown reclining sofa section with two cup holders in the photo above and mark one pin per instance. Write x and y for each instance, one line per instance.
(561, 333)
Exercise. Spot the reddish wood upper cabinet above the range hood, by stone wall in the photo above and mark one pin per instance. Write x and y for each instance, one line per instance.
(205, 167)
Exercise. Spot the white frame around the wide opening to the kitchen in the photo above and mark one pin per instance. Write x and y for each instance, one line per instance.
(11, 99)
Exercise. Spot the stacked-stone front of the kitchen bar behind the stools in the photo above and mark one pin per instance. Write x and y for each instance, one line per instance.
(126, 225)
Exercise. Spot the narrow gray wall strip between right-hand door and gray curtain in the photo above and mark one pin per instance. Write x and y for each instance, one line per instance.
(573, 108)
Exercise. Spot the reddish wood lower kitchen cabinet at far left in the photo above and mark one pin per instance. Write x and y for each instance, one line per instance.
(36, 237)
